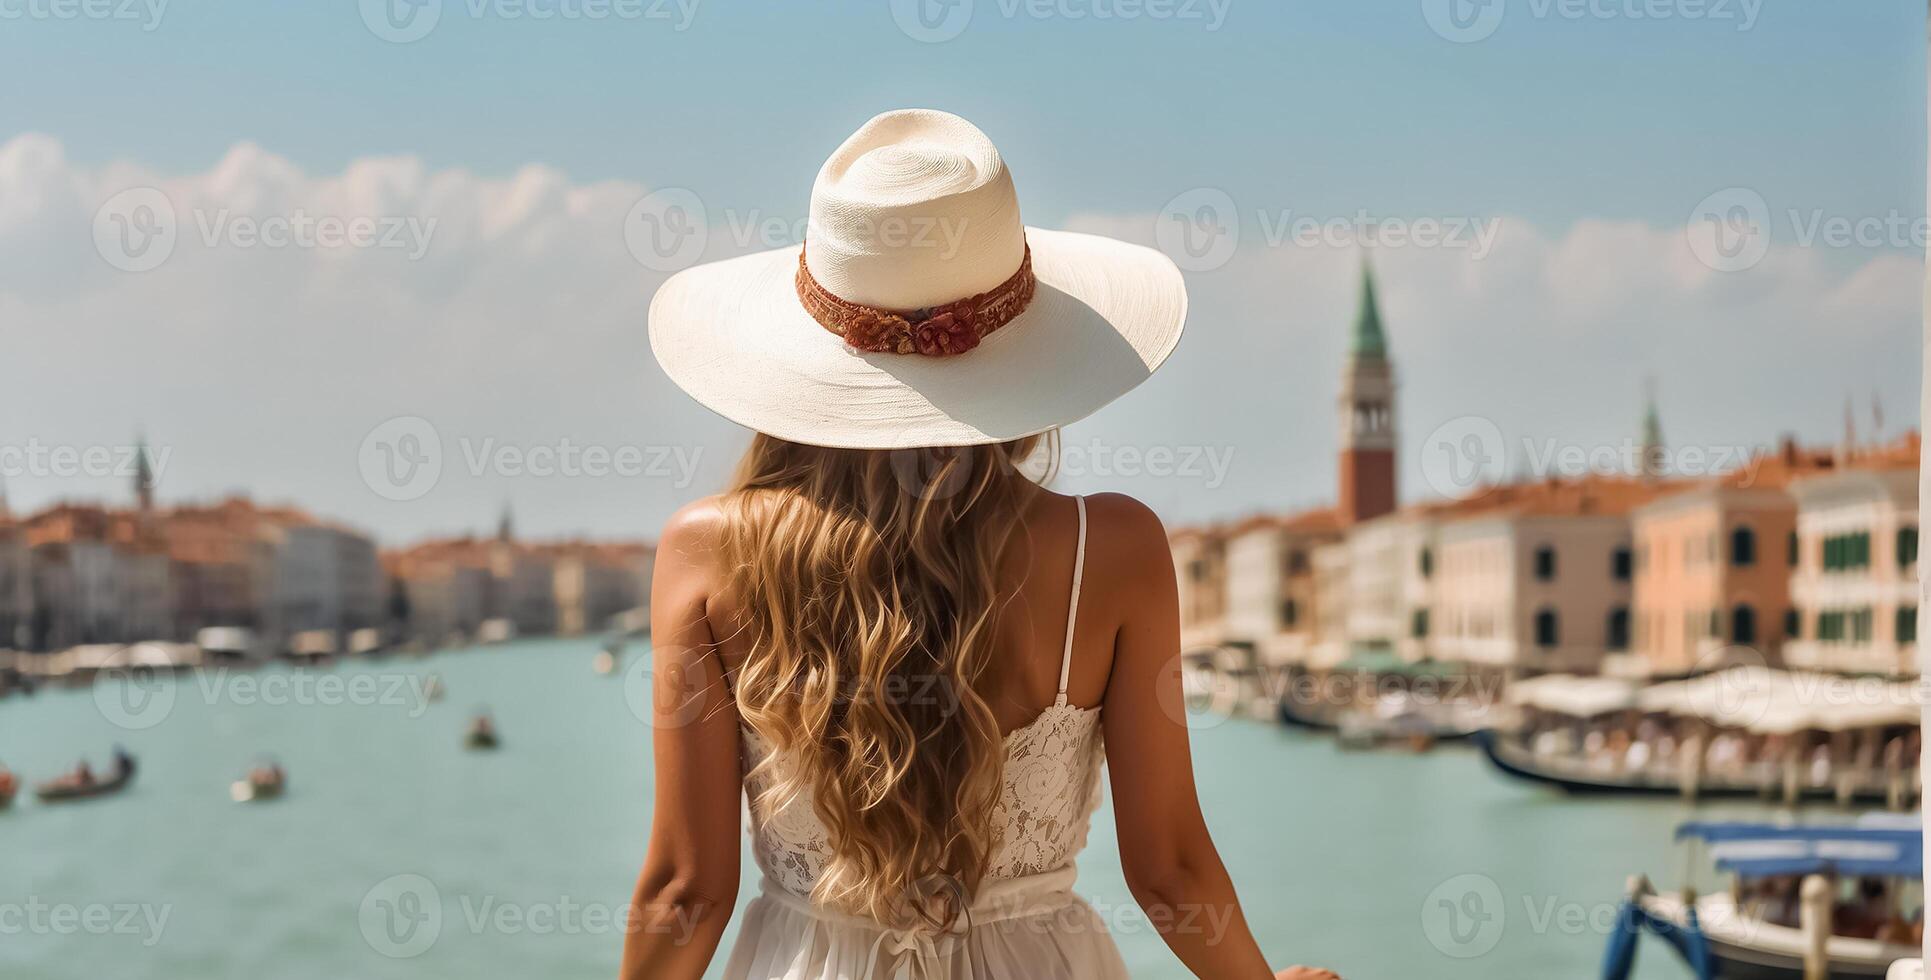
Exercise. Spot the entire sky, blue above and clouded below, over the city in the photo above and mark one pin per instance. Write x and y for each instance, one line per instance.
(1584, 130)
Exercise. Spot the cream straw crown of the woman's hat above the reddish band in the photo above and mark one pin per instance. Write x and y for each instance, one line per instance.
(914, 211)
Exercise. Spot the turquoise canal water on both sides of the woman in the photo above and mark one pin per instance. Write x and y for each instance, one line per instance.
(1380, 865)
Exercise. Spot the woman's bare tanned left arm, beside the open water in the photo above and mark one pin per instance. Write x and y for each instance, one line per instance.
(690, 875)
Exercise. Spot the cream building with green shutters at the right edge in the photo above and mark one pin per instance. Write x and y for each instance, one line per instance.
(1855, 587)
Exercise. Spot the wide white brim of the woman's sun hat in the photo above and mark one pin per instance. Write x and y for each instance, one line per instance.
(1104, 317)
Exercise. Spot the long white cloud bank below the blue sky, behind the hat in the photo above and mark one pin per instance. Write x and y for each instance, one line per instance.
(522, 321)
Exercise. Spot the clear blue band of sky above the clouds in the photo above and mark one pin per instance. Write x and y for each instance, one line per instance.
(1335, 103)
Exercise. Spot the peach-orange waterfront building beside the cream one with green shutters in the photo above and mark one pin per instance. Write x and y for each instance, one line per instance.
(1714, 566)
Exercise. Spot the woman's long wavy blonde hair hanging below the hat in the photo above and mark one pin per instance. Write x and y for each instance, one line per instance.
(868, 593)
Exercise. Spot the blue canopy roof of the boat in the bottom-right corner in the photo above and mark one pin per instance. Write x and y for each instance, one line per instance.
(1762, 850)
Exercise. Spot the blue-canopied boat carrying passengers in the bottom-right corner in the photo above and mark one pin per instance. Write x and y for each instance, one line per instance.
(1843, 900)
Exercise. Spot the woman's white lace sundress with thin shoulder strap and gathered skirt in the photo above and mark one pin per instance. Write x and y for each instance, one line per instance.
(1024, 923)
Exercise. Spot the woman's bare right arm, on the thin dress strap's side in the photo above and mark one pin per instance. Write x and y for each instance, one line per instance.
(1169, 859)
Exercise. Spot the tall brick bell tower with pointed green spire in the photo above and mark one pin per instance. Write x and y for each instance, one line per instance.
(1368, 416)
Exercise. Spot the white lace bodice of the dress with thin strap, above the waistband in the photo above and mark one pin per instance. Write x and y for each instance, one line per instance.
(1040, 823)
